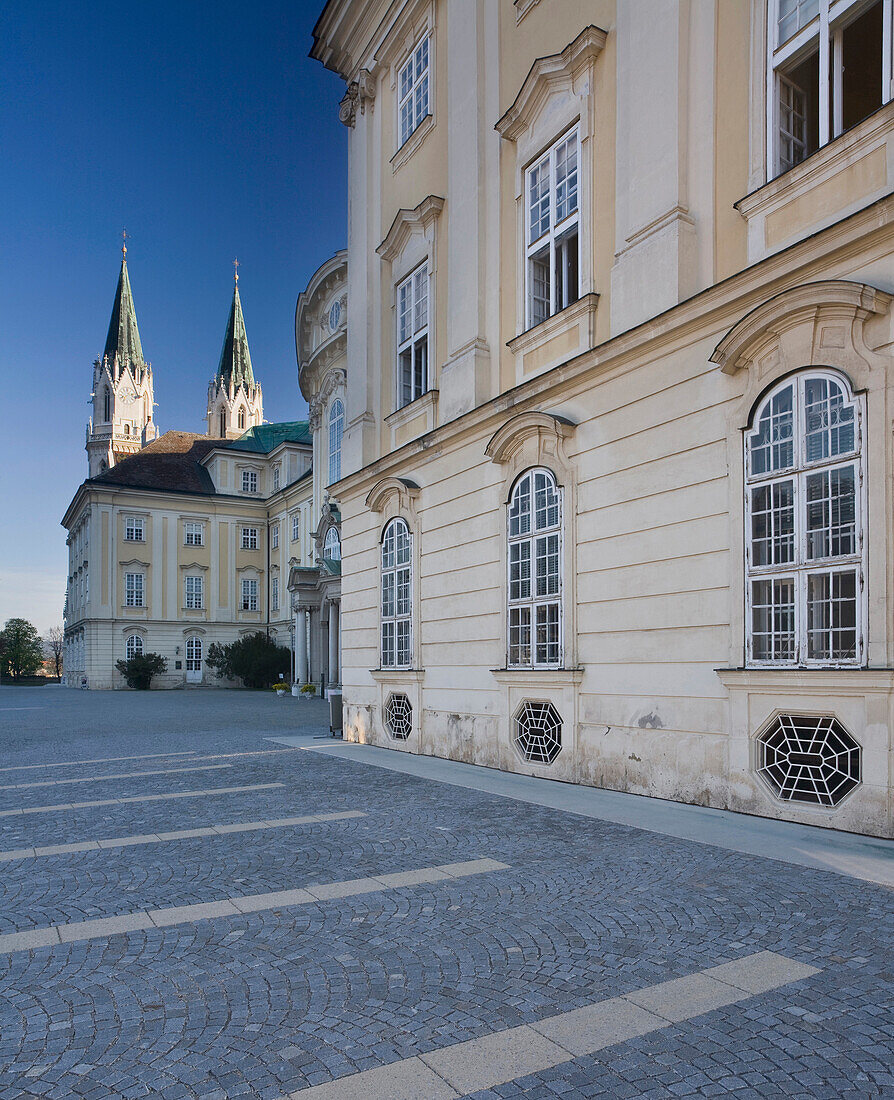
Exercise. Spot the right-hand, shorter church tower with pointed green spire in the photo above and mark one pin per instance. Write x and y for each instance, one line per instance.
(235, 401)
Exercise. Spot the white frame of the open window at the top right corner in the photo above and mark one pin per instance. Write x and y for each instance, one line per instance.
(824, 29)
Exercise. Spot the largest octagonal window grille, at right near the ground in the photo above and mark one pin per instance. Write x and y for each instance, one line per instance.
(805, 758)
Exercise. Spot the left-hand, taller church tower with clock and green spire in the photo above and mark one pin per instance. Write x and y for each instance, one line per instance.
(124, 400)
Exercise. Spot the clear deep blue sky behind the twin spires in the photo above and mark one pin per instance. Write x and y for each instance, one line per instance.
(207, 131)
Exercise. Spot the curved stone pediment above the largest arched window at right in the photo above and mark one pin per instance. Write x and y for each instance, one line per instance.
(835, 312)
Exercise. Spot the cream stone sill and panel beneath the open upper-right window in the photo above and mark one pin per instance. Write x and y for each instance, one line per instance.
(842, 178)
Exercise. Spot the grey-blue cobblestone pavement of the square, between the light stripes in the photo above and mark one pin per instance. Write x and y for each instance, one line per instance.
(272, 1003)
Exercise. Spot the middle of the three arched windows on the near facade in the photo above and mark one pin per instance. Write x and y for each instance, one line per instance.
(535, 557)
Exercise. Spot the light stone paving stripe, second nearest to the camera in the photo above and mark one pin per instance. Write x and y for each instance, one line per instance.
(102, 928)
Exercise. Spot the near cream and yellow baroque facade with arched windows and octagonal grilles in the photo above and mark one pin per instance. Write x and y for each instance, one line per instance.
(615, 498)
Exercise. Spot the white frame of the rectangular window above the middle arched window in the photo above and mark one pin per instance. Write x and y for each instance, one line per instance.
(555, 228)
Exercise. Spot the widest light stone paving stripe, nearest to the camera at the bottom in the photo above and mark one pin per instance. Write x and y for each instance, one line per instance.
(503, 1057)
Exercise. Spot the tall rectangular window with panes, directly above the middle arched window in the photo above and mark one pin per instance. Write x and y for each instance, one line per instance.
(553, 238)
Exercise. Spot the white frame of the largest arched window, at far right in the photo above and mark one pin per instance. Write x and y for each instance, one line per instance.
(803, 567)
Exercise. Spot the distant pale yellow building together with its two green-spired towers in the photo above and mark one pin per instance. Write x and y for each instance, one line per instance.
(183, 541)
